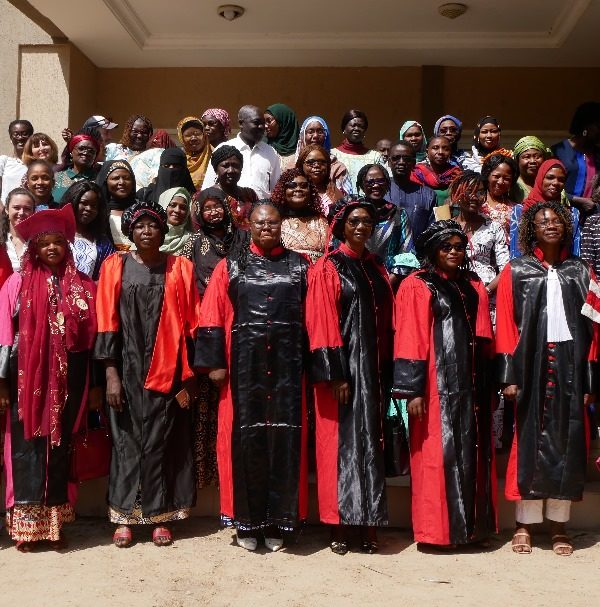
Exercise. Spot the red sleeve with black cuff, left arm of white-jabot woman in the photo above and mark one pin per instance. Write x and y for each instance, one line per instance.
(507, 334)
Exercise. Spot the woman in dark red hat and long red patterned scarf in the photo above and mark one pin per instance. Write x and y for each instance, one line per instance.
(43, 381)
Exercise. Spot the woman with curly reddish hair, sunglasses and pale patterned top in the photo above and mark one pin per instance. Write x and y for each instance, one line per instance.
(304, 227)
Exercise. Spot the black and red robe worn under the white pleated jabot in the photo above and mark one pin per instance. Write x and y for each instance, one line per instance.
(549, 451)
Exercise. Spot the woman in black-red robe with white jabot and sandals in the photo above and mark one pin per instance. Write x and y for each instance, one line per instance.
(547, 351)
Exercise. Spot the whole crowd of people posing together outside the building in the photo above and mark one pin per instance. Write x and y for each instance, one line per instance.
(235, 305)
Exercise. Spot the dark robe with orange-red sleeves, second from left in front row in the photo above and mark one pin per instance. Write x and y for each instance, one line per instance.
(146, 317)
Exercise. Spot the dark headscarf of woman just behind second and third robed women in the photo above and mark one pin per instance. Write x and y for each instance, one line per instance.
(213, 248)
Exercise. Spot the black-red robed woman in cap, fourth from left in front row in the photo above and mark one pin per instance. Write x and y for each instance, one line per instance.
(350, 328)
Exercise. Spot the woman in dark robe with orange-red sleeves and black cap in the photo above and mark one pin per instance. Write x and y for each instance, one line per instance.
(147, 313)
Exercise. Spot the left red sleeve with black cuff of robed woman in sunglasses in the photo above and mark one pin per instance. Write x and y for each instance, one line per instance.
(414, 319)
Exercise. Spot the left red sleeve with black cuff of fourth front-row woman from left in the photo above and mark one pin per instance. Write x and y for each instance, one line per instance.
(328, 361)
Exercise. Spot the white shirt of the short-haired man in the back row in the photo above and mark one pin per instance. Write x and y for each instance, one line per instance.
(261, 168)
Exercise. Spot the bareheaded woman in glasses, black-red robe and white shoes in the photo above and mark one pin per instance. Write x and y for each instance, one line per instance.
(252, 341)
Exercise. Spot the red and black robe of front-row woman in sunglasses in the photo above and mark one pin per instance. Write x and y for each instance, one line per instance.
(443, 340)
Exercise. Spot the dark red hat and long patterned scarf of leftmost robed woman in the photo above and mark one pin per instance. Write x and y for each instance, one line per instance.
(57, 316)
